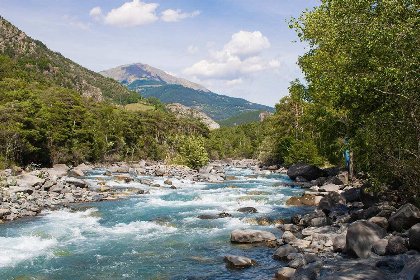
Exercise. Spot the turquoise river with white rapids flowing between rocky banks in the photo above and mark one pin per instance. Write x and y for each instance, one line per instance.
(152, 236)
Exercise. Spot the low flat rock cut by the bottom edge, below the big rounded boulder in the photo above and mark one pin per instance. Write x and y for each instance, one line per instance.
(358, 272)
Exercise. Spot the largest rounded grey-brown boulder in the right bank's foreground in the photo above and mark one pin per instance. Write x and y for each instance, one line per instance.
(361, 236)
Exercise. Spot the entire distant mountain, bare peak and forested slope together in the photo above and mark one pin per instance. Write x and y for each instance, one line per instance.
(152, 82)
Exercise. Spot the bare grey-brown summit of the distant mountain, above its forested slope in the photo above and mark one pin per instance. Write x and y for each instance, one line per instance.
(144, 75)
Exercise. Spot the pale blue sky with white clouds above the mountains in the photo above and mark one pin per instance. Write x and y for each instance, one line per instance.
(240, 48)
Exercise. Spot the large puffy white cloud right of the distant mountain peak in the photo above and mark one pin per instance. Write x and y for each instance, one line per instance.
(238, 58)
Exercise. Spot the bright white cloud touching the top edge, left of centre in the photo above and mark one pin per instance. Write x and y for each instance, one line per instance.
(130, 14)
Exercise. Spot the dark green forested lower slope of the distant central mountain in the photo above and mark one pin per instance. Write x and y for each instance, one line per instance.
(216, 106)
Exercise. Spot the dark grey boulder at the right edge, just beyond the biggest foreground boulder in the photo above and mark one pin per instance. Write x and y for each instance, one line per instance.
(405, 217)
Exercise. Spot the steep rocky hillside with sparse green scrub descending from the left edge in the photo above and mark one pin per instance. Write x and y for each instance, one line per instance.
(41, 64)
